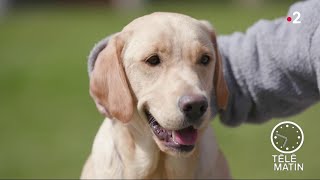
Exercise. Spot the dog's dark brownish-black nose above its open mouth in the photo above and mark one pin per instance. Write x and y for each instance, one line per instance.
(193, 106)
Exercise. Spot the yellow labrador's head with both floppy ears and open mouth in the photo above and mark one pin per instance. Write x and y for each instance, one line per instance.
(165, 66)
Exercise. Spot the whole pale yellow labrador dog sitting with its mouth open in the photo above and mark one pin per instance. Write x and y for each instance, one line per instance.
(154, 81)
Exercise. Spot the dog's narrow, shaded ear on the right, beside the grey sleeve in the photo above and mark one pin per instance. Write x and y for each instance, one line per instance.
(220, 85)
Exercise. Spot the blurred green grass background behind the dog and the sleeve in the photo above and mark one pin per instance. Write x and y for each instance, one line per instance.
(47, 119)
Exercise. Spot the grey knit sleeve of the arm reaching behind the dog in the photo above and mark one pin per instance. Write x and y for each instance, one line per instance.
(273, 70)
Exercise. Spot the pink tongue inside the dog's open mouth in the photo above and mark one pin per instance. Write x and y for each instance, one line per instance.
(186, 136)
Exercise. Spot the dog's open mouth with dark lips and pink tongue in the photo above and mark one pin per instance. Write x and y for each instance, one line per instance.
(181, 140)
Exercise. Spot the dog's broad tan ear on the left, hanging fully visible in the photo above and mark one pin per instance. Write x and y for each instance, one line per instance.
(108, 83)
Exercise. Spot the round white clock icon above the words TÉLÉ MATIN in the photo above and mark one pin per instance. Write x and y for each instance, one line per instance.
(287, 137)
